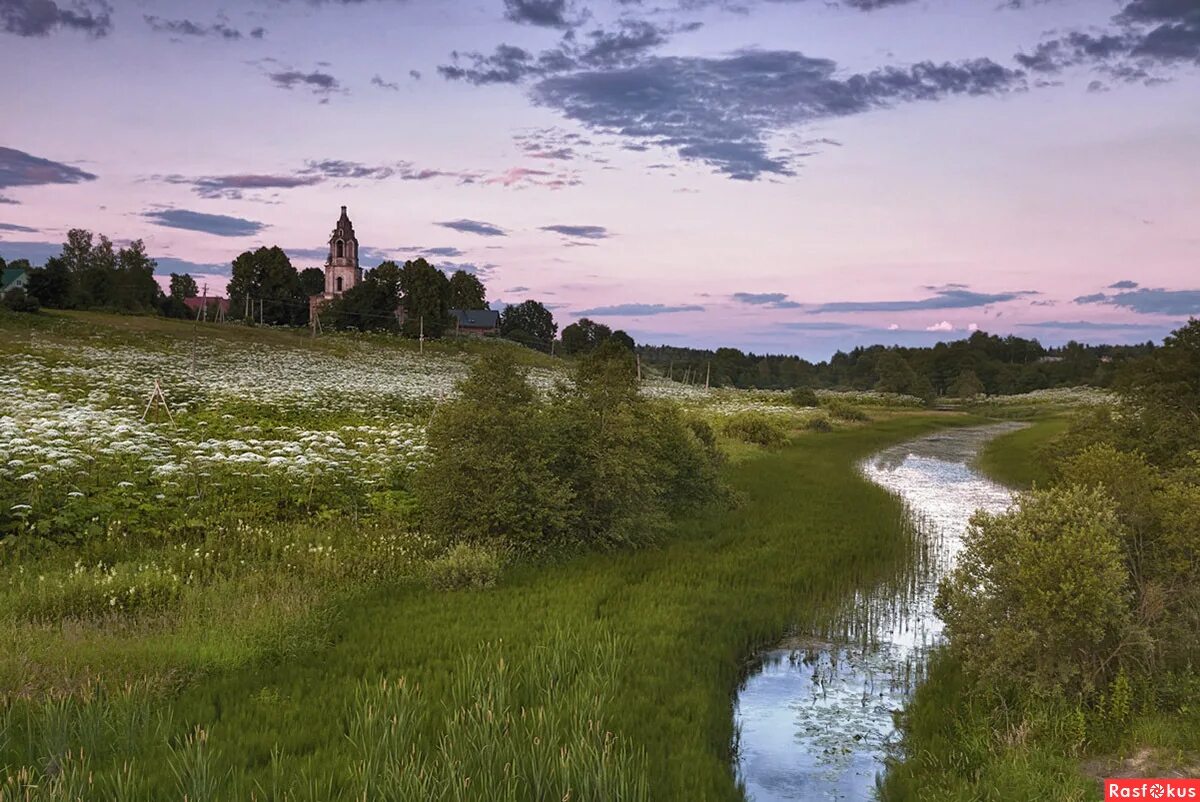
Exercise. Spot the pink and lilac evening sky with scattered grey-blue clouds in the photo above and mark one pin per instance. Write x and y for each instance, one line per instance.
(777, 176)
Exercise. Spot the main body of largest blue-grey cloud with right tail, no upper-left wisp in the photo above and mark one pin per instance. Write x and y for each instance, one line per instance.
(723, 111)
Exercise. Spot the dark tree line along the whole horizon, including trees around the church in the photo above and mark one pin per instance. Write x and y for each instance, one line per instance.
(266, 288)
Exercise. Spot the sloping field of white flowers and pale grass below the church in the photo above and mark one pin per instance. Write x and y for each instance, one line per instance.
(277, 464)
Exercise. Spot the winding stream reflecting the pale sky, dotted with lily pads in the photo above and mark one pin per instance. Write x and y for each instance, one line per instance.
(815, 719)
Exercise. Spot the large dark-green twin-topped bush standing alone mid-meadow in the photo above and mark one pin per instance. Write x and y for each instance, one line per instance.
(596, 464)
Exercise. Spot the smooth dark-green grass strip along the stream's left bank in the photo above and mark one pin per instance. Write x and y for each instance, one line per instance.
(607, 678)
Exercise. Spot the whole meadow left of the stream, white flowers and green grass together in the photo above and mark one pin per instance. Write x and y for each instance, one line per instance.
(251, 615)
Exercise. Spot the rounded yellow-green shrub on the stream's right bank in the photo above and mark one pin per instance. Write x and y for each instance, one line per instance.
(1041, 596)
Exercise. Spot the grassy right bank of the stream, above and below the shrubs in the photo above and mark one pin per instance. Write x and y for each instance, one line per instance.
(961, 746)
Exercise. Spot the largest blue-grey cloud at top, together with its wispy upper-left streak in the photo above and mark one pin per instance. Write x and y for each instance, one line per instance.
(717, 111)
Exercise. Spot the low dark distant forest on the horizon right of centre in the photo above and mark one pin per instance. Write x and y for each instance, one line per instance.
(982, 363)
